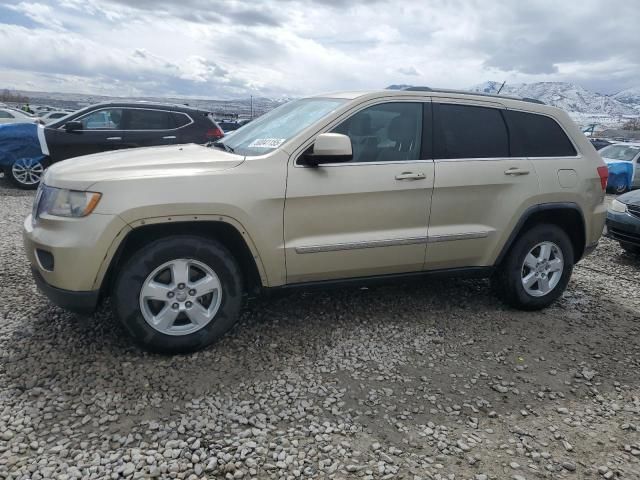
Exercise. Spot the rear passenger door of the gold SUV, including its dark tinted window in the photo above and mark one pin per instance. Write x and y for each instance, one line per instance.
(478, 186)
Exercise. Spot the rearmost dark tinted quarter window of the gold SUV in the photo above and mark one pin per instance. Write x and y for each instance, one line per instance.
(537, 136)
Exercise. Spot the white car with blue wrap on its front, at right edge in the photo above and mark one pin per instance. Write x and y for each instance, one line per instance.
(622, 159)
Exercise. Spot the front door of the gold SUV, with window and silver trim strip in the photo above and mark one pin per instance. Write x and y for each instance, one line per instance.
(368, 216)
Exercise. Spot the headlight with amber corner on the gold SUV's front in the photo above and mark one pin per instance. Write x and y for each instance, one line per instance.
(65, 203)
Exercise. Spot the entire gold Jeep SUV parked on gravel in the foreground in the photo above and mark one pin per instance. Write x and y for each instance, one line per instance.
(343, 189)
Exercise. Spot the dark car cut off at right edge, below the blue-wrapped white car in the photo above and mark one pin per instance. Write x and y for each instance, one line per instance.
(623, 221)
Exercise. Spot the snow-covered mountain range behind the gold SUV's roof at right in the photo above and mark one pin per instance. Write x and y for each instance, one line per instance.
(568, 96)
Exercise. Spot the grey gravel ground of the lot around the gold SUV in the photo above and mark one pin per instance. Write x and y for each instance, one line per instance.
(431, 380)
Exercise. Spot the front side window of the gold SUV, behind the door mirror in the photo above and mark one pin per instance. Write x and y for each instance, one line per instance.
(388, 132)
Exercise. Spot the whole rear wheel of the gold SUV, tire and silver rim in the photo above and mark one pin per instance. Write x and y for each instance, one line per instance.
(525, 264)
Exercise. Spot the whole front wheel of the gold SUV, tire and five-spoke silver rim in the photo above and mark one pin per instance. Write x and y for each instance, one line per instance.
(179, 294)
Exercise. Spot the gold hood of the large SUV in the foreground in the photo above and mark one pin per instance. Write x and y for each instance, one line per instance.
(166, 161)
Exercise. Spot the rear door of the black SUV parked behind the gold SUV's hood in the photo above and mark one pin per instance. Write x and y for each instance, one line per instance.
(146, 127)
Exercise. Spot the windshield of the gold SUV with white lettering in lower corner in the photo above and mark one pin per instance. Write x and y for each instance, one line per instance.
(271, 130)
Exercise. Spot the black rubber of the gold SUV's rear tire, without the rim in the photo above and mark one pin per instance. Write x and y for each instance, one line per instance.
(507, 280)
